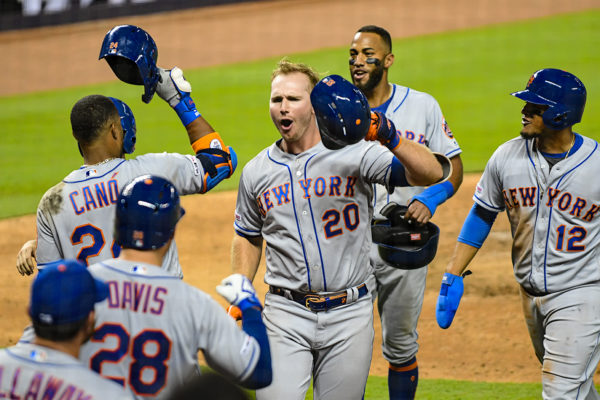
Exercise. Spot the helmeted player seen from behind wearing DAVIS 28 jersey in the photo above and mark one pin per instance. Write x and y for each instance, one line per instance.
(149, 331)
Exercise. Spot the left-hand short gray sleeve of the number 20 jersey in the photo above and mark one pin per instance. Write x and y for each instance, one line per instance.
(248, 218)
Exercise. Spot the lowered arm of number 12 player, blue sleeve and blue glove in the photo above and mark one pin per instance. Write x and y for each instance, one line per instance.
(475, 230)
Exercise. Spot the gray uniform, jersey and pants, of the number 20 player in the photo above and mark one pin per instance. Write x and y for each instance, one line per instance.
(314, 211)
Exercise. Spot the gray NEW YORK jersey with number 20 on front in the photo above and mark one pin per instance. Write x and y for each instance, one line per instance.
(314, 211)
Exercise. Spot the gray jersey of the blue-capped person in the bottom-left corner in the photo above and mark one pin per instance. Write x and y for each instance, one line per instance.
(30, 371)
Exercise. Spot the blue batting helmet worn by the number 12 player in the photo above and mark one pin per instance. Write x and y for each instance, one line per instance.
(562, 91)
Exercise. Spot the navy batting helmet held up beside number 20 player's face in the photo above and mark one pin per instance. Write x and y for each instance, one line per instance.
(342, 112)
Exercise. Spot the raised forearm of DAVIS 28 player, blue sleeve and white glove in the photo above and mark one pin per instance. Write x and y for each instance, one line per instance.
(238, 291)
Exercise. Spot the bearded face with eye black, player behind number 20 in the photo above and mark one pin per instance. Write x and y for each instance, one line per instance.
(367, 47)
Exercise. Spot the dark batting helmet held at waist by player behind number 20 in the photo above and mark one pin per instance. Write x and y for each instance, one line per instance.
(402, 244)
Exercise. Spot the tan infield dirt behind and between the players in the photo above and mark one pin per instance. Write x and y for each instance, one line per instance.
(488, 340)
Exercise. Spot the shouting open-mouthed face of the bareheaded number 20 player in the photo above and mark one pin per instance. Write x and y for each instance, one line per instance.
(290, 106)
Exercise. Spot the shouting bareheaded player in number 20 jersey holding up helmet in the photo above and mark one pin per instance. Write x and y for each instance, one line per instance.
(313, 207)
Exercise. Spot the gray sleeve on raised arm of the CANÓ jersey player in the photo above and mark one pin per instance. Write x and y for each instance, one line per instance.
(184, 171)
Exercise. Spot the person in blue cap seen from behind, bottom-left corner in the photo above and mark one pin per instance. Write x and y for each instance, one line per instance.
(61, 309)
